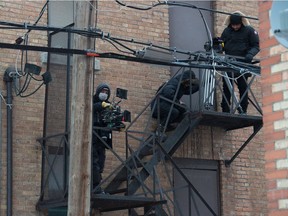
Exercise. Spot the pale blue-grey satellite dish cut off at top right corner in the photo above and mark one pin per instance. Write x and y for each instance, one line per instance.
(279, 21)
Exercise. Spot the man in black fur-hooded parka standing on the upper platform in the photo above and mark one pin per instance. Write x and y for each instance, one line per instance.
(240, 39)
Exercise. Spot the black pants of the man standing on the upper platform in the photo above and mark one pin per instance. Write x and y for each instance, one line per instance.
(242, 87)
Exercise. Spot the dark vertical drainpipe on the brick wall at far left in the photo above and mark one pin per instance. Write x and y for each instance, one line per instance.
(8, 79)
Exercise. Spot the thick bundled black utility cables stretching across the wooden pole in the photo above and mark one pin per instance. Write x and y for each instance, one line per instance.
(193, 60)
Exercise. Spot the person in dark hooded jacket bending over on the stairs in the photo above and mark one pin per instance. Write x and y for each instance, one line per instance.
(175, 87)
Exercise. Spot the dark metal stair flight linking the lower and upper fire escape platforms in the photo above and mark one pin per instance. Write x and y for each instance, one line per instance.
(138, 163)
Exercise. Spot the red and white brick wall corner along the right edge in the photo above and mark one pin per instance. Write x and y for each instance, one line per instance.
(274, 88)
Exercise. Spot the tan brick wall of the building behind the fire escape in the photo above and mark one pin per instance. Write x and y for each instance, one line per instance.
(242, 184)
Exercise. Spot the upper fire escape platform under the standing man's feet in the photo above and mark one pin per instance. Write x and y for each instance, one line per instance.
(229, 121)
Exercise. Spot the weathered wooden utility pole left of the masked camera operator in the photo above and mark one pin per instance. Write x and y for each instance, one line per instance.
(81, 115)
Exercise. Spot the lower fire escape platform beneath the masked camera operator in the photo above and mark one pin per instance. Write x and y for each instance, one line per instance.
(106, 203)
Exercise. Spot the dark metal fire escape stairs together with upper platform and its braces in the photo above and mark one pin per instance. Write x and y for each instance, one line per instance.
(137, 175)
